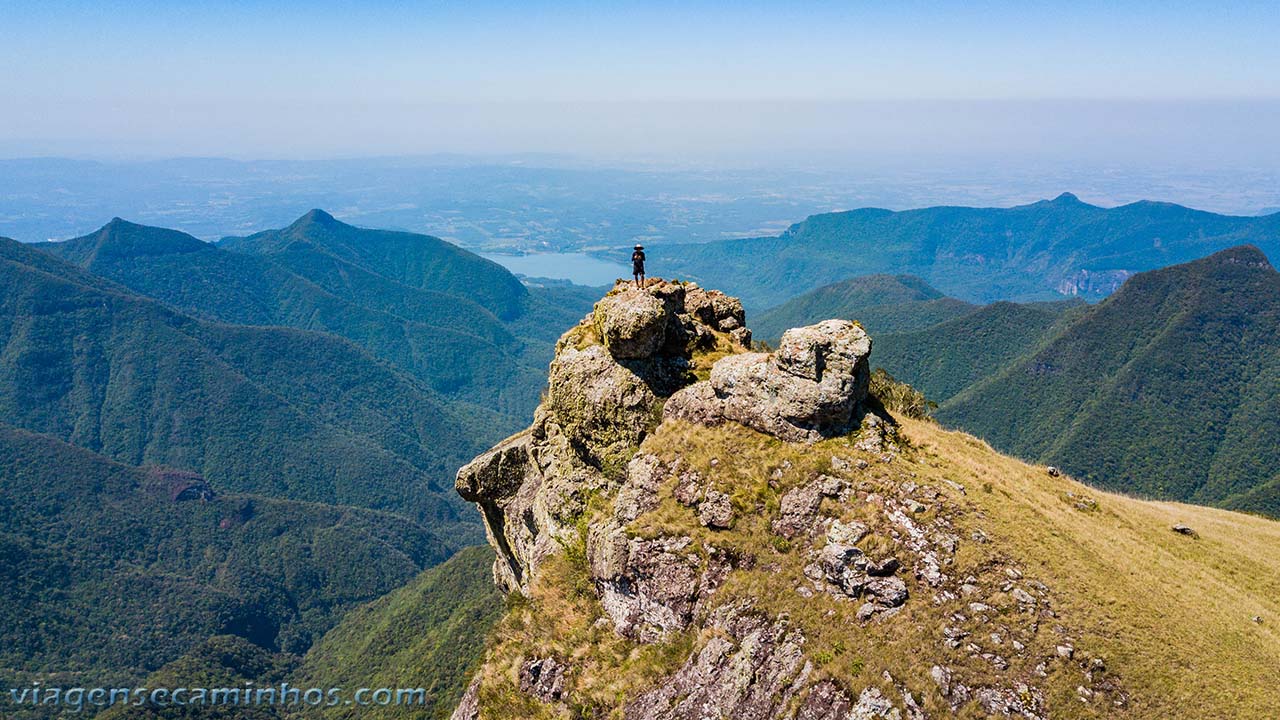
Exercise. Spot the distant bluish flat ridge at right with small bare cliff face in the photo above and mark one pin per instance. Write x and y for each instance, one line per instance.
(1034, 252)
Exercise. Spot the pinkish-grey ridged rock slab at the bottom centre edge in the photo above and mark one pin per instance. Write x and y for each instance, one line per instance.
(752, 669)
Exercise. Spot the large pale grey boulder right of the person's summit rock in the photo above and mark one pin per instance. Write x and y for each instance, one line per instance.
(811, 389)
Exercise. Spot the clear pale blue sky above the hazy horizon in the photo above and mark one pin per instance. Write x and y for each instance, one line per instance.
(1195, 83)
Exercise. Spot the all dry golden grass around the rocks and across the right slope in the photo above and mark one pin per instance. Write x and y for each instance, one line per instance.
(1172, 616)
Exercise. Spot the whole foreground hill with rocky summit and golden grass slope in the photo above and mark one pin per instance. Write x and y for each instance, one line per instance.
(771, 543)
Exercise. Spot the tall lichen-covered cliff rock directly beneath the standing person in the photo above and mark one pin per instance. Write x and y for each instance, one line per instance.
(609, 382)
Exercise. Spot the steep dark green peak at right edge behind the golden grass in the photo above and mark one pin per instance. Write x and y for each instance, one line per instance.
(1168, 389)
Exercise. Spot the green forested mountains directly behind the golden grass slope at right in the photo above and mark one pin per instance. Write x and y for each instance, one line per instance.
(1167, 389)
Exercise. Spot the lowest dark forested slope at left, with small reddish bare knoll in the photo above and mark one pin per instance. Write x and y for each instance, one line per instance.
(109, 572)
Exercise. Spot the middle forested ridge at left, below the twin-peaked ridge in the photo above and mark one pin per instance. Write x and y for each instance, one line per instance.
(268, 411)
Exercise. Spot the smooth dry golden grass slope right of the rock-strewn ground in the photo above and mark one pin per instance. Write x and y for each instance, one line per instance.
(1172, 616)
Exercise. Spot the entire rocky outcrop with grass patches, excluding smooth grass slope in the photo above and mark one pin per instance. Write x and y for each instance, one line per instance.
(668, 536)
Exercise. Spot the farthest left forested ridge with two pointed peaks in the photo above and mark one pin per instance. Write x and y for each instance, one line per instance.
(312, 277)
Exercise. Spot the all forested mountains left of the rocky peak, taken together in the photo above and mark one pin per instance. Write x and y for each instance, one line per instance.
(218, 450)
